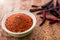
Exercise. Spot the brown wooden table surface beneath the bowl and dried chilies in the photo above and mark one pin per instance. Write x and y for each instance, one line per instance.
(45, 32)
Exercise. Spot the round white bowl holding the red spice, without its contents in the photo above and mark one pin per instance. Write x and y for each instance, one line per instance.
(18, 34)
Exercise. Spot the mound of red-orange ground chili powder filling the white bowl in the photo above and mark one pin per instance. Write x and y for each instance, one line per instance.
(18, 22)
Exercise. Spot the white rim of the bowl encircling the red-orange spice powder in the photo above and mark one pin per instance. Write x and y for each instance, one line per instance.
(14, 12)
